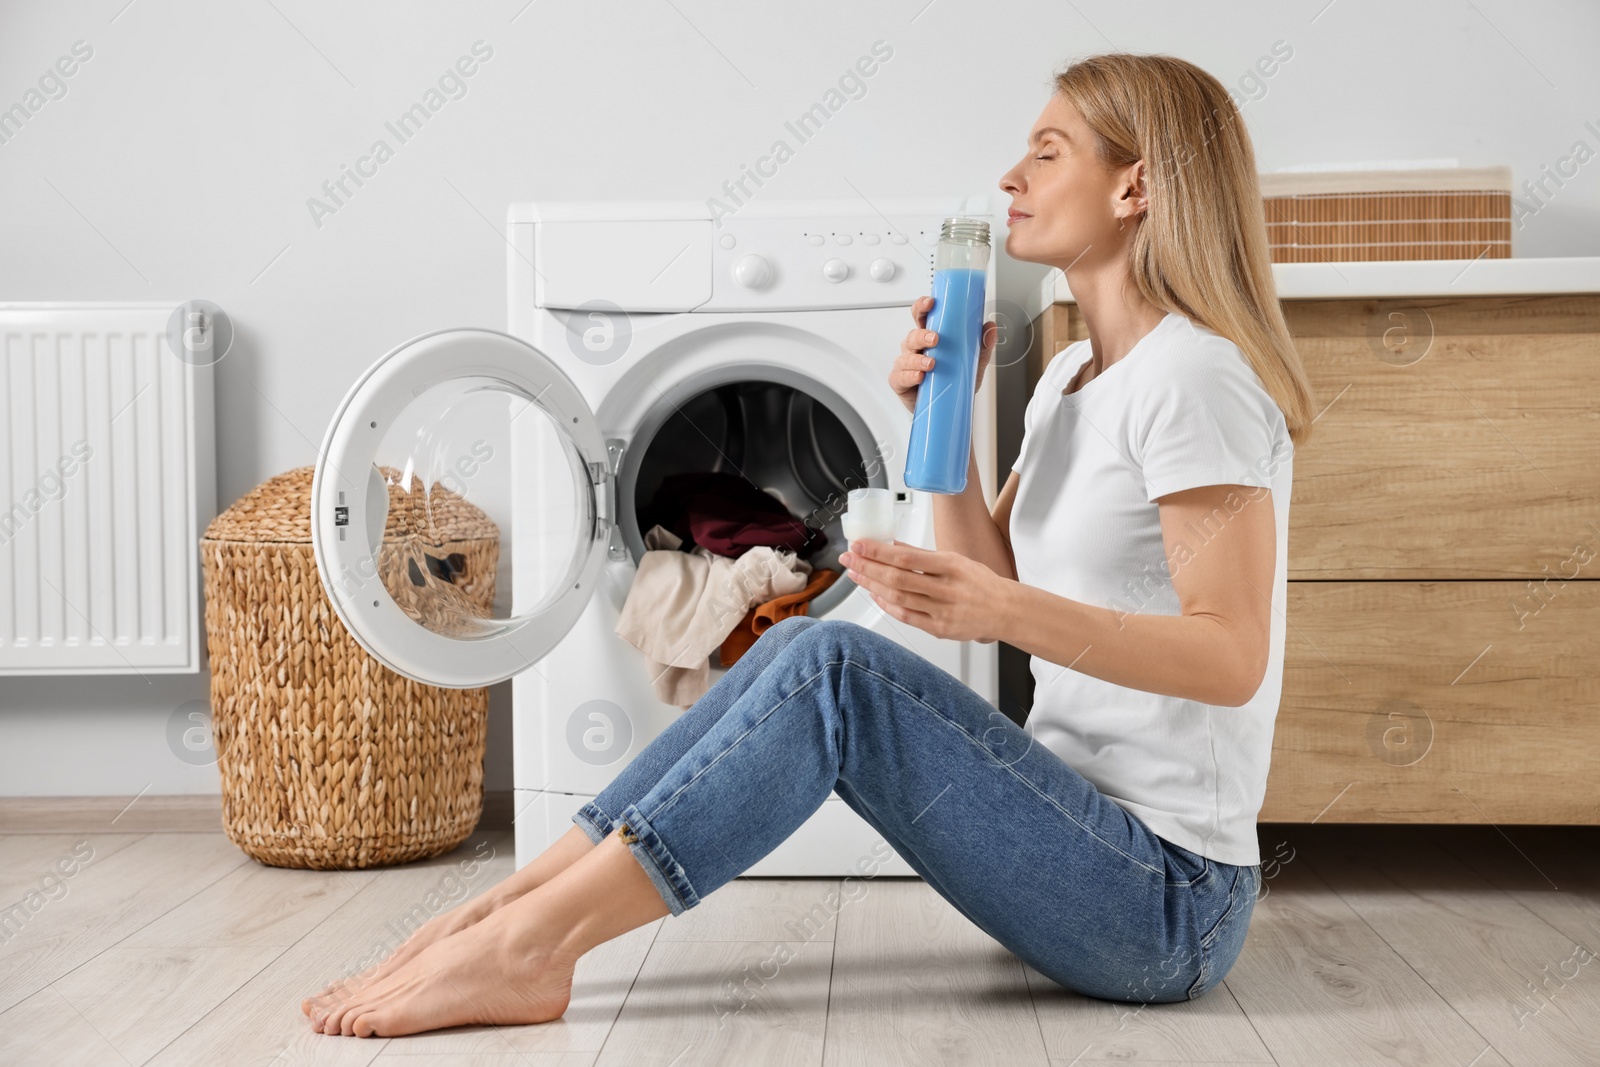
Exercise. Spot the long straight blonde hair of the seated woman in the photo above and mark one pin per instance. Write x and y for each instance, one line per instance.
(1202, 246)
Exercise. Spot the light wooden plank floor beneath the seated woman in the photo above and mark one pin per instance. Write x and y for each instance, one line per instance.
(1455, 946)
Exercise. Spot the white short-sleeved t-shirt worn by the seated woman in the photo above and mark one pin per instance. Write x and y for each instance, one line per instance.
(1180, 410)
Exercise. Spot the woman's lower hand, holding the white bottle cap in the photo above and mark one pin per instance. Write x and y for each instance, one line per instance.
(942, 593)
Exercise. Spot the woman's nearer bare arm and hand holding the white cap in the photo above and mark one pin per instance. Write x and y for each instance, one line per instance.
(1215, 652)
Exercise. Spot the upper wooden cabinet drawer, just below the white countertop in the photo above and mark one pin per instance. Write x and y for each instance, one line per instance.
(1457, 439)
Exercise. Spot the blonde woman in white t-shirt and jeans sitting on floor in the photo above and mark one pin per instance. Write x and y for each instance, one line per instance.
(1137, 553)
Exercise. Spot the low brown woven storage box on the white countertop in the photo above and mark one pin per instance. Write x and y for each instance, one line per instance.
(1425, 214)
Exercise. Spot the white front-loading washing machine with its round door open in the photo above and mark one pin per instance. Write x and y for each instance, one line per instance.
(479, 497)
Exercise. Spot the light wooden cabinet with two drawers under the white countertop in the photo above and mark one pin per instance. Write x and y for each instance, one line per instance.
(1442, 658)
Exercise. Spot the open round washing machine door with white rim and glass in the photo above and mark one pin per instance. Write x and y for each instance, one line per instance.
(412, 508)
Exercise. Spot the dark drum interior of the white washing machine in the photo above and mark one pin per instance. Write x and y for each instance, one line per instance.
(767, 436)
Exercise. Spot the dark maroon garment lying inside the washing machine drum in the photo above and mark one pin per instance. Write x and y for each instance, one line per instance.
(727, 514)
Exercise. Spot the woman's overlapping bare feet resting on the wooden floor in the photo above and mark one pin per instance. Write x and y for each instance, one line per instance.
(481, 975)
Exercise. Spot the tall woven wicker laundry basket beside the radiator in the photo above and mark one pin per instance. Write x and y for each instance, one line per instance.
(329, 759)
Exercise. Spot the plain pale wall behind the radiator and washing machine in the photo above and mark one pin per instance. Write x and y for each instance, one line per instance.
(180, 161)
